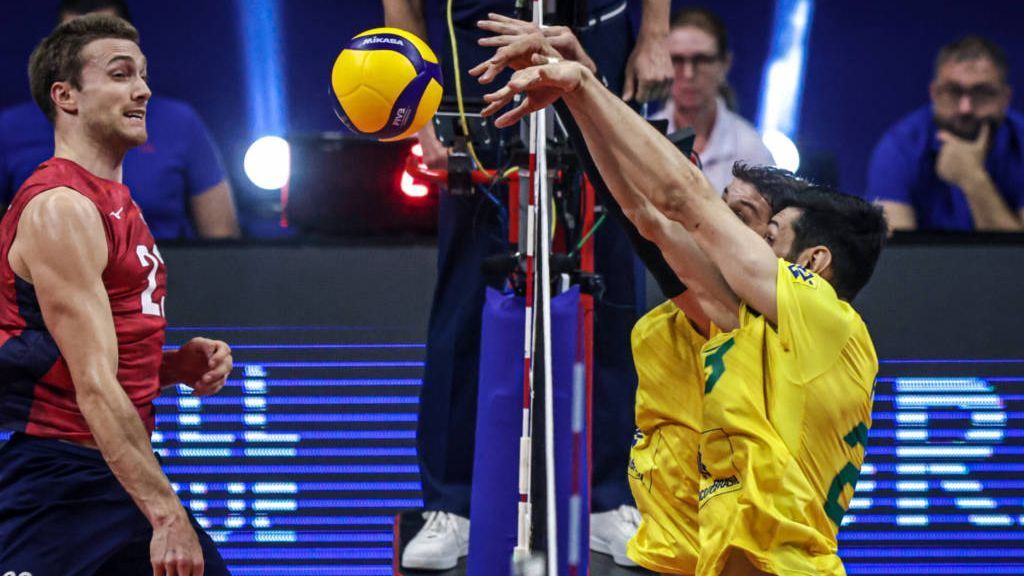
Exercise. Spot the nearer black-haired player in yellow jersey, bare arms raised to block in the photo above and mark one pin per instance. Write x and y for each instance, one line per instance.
(788, 388)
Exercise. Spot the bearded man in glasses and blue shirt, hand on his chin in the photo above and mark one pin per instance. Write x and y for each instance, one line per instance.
(959, 163)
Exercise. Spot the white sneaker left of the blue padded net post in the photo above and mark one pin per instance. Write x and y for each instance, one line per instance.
(440, 545)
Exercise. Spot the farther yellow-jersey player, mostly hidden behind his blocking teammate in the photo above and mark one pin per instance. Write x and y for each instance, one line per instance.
(669, 407)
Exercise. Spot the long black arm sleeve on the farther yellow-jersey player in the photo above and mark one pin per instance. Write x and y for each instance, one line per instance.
(648, 252)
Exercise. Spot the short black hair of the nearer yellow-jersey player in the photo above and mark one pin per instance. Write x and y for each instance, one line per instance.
(854, 230)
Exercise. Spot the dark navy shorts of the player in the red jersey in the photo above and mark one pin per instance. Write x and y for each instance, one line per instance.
(63, 513)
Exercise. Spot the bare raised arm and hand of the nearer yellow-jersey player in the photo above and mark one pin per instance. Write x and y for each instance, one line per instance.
(624, 144)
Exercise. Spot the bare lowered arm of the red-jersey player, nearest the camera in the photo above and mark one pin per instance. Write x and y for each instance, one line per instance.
(61, 250)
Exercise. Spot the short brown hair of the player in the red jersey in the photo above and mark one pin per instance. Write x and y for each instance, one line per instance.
(59, 57)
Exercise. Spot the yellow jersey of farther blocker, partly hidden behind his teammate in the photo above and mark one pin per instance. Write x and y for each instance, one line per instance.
(663, 462)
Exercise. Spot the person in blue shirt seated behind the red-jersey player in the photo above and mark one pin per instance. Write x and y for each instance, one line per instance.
(178, 178)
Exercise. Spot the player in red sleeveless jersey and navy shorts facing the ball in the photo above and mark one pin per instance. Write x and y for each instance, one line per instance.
(82, 324)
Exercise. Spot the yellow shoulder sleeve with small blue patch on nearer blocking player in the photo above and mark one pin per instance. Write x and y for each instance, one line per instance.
(814, 324)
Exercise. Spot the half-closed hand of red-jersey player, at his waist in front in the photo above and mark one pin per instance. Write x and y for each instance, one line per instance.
(201, 364)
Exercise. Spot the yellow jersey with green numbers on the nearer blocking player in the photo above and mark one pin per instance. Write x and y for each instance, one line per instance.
(787, 412)
